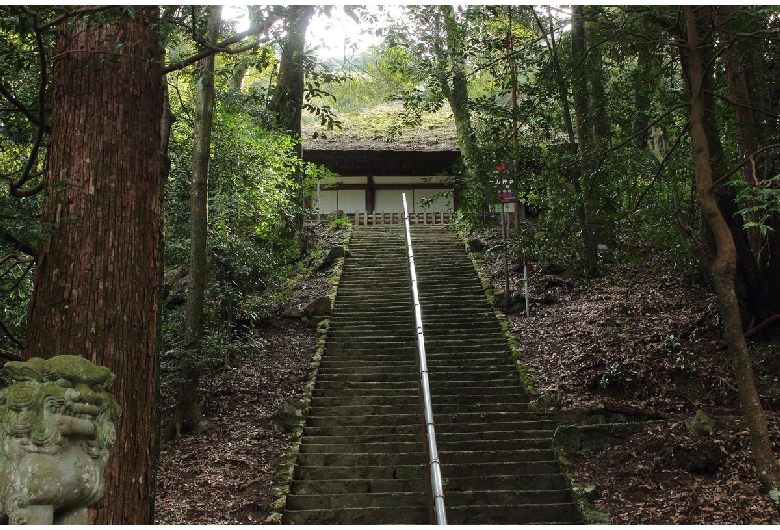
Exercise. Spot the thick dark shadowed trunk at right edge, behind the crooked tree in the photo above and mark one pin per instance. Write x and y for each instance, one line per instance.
(754, 101)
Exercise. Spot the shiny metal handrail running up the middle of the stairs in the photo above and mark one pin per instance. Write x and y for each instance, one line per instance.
(437, 488)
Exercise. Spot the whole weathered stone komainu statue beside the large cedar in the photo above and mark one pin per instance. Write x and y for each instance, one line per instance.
(56, 428)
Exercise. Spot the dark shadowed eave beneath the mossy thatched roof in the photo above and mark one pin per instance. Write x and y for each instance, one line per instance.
(367, 162)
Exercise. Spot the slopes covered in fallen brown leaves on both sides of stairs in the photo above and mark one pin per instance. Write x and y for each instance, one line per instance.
(641, 342)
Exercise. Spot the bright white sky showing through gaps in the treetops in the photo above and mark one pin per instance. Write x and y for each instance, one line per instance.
(336, 36)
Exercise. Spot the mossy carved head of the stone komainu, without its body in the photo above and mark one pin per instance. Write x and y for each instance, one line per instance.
(56, 399)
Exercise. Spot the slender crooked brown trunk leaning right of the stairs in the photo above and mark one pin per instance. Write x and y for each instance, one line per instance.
(721, 262)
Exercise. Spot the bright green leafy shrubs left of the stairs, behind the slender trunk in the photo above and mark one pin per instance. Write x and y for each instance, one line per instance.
(250, 209)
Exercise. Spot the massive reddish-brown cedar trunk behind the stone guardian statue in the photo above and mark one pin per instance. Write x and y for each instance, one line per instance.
(97, 275)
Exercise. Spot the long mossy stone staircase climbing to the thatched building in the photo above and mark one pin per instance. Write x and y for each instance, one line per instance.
(362, 457)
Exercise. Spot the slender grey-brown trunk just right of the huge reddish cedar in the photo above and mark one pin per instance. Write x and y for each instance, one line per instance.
(188, 405)
